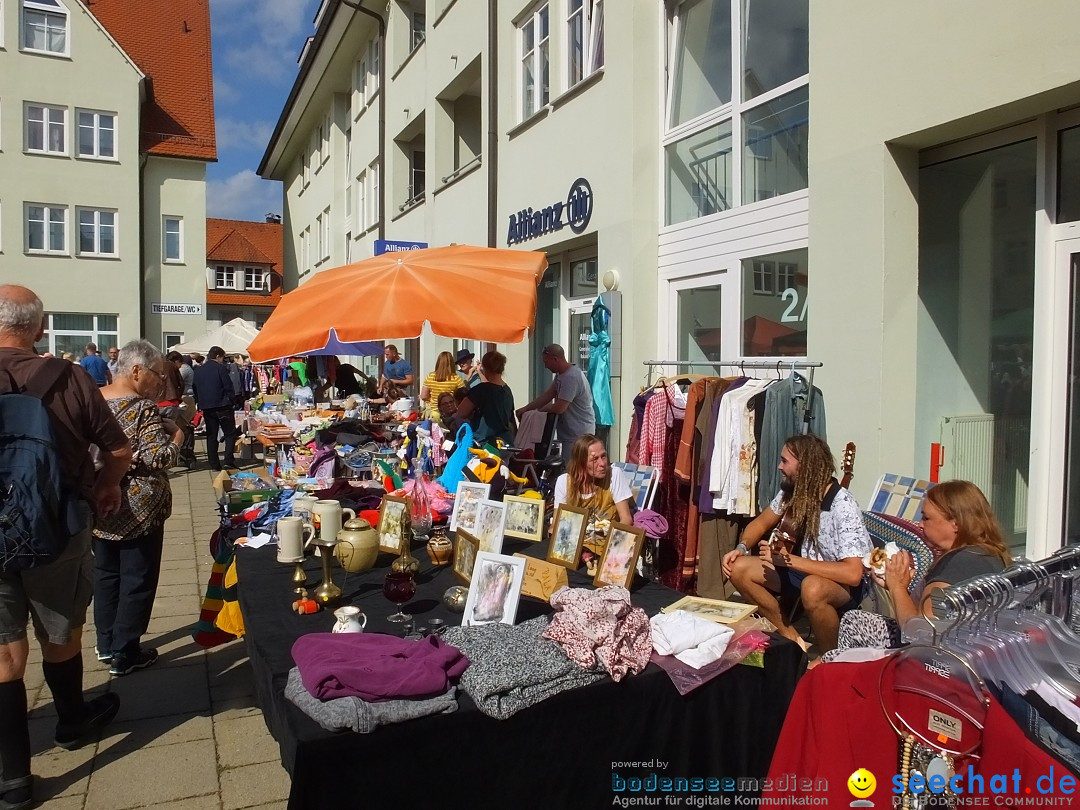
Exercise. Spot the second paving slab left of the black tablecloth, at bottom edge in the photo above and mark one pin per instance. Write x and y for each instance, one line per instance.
(126, 779)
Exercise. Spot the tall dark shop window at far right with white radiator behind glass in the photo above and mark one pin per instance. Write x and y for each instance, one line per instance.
(977, 322)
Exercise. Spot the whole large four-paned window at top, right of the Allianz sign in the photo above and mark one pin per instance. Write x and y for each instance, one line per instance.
(737, 116)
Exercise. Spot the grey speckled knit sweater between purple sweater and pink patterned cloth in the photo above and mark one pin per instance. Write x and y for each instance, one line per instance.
(514, 668)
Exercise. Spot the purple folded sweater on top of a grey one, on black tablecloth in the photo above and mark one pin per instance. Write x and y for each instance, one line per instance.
(374, 667)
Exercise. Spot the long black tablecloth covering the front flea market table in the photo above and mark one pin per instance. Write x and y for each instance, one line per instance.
(570, 751)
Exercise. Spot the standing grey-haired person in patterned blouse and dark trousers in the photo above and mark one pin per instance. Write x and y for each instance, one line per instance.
(128, 544)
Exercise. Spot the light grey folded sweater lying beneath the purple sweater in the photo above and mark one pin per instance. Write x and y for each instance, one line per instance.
(360, 715)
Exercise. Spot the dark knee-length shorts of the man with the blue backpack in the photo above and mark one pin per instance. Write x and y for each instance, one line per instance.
(55, 596)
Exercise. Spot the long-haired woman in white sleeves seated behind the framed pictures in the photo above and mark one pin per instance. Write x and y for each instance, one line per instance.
(590, 482)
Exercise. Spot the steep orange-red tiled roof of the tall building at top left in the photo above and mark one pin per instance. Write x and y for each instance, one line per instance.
(170, 42)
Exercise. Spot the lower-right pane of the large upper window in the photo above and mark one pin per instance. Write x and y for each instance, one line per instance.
(775, 153)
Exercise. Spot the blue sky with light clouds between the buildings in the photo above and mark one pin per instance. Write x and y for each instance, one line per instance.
(256, 44)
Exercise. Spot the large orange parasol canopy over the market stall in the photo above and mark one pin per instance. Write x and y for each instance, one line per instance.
(462, 292)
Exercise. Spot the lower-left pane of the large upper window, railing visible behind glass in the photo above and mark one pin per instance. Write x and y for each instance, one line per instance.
(699, 174)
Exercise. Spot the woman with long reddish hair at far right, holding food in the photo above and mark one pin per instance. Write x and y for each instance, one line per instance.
(957, 520)
